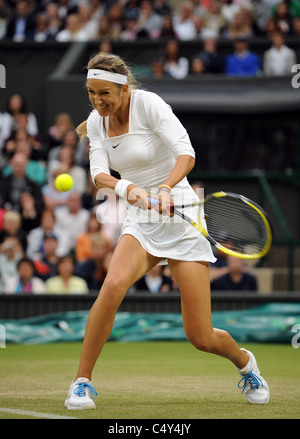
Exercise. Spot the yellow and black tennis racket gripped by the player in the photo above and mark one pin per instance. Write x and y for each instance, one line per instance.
(232, 223)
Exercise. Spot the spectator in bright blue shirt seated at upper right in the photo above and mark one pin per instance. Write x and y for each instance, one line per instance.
(242, 62)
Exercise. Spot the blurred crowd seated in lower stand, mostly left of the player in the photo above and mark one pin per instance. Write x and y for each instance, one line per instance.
(60, 242)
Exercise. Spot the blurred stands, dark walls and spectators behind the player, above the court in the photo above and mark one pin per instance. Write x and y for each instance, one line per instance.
(229, 71)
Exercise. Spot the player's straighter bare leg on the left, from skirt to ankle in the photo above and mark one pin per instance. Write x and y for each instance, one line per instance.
(129, 262)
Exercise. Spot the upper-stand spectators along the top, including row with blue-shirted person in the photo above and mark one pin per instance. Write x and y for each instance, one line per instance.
(129, 20)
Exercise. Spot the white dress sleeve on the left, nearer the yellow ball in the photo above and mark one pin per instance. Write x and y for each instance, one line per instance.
(99, 161)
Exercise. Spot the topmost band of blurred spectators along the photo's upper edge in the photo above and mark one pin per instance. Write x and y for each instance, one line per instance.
(82, 20)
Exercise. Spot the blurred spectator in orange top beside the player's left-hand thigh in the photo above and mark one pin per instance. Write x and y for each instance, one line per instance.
(83, 249)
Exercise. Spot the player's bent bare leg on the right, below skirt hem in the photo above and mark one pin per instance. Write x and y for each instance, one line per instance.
(193, 281)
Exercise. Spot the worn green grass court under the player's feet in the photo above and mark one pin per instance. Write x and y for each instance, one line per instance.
(147, 380)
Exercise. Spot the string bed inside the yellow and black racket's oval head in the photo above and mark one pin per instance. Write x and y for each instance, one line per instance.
(235, 224)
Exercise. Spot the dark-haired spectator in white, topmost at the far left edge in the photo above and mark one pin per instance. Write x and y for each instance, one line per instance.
(16, 105)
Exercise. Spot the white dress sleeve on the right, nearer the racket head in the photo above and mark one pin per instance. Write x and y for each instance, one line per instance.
(168, 127)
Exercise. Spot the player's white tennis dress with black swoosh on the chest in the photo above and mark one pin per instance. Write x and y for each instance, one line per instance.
(146, 156)
